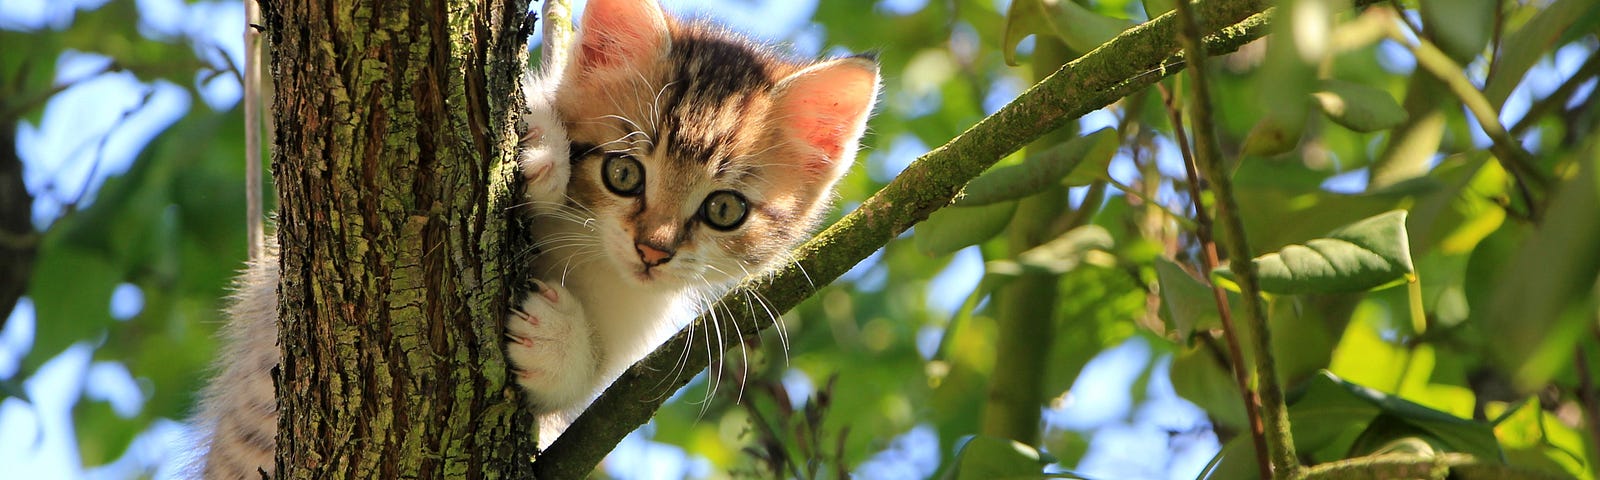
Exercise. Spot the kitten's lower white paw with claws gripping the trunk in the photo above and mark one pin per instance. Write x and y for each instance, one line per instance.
(551, 351)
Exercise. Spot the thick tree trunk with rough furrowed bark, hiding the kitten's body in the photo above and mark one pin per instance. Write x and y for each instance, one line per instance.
(396, 145)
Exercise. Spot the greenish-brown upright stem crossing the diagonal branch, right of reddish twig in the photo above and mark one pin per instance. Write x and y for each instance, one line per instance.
(1209, 156)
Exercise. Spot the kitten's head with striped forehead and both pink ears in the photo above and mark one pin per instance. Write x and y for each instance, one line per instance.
(700, 156)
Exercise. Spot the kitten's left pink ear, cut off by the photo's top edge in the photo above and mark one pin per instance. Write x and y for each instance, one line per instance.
(620, 34)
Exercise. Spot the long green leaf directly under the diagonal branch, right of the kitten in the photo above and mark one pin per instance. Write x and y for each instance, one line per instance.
(1076, 162)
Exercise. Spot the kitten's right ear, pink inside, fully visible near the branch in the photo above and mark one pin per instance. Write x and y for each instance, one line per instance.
(823, 111)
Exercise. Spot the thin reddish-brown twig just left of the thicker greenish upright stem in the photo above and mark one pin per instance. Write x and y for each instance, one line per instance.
(1209, 262)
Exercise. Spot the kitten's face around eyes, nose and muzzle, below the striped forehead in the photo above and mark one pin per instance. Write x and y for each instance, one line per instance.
(671, 222)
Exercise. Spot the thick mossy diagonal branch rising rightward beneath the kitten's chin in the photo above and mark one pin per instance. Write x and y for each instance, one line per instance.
(1135, 60)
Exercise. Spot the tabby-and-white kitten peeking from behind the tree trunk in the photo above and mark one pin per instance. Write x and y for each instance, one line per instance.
(665, 162)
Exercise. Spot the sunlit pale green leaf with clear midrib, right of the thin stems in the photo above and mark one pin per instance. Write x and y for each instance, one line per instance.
(1359, 257)
